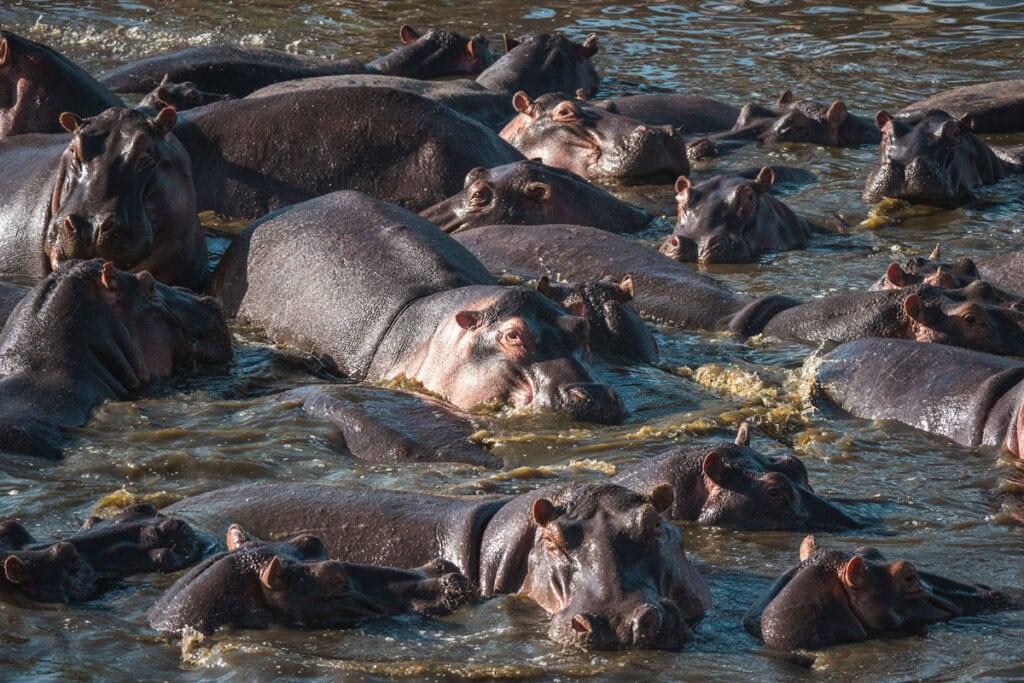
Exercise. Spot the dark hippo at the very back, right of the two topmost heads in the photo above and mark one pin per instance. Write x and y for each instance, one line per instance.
(543, 64)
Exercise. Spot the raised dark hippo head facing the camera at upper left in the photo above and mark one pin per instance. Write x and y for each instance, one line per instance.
(121, 178)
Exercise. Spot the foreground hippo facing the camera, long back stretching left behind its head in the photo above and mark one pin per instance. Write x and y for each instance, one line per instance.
(599, 558)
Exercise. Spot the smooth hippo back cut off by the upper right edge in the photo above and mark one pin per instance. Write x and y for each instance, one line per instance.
(995, 108)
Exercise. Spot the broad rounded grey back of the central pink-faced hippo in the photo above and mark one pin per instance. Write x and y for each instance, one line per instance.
(340, 268)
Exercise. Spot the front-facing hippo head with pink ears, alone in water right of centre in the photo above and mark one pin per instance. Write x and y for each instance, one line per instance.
(718, 221)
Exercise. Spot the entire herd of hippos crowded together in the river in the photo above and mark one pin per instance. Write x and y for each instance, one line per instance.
(332, 159)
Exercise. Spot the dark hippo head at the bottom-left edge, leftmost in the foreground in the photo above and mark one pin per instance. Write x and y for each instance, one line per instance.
(57, 574)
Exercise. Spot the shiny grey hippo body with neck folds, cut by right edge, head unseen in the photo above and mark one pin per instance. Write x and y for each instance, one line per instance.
(973, 399)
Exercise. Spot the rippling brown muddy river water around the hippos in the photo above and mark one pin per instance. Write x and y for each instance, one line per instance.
(944, 507)
